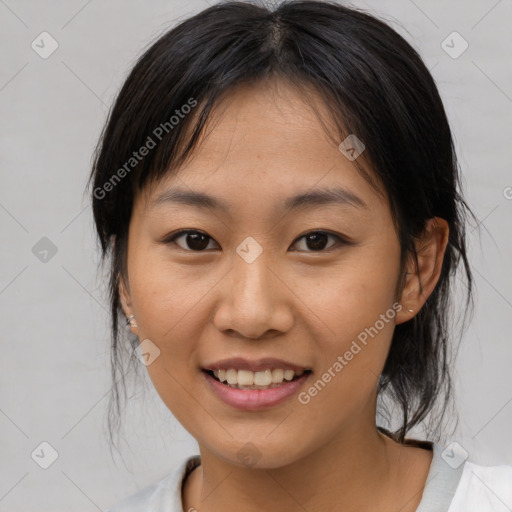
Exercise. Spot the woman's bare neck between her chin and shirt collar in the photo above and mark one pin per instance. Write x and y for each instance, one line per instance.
(352, 472)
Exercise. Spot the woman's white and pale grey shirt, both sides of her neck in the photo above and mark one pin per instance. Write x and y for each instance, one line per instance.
(451, 486)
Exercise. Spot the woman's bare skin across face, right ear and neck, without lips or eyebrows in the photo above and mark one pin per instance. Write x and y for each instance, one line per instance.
(292, 302)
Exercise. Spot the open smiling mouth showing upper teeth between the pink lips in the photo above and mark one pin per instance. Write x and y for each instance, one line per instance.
(262, 379)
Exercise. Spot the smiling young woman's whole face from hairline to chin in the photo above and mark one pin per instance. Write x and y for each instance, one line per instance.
(312, 285)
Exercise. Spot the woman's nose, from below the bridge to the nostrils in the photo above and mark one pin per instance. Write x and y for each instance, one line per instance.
(254, 301)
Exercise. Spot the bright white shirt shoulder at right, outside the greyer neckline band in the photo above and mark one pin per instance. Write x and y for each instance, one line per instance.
(483, 489)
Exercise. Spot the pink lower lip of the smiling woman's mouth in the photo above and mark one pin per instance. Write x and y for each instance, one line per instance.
(255, 399)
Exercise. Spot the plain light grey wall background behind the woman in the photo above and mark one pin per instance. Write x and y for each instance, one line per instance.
(54, 370)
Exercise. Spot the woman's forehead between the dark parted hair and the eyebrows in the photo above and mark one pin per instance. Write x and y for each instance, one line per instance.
(262, 142)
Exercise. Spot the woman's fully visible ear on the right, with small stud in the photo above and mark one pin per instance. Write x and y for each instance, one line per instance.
(421, 279)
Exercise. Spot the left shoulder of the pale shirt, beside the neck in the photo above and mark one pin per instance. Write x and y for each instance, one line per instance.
(162, 495)
